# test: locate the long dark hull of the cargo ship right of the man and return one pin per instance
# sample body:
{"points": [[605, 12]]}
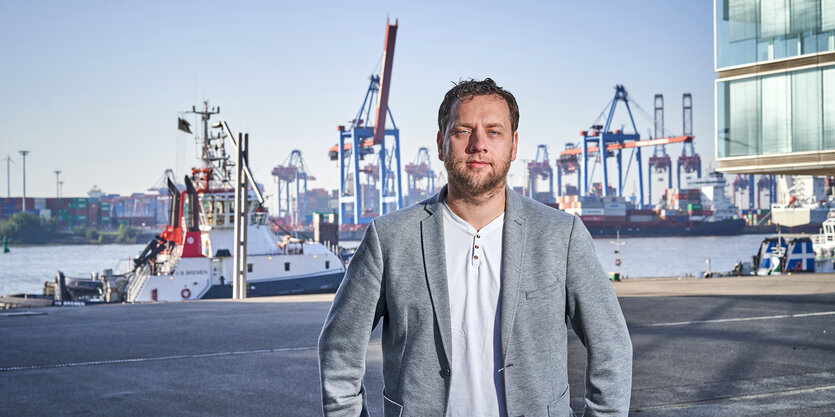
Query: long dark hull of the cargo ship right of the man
{"points": [[730, 227]]}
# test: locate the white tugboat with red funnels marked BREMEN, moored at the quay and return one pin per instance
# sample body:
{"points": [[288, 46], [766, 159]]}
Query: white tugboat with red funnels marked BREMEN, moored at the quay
{"points": [[192, 258]]}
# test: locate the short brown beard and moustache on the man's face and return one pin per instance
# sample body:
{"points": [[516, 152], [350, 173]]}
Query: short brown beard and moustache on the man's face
{"points": [[471, 184]]}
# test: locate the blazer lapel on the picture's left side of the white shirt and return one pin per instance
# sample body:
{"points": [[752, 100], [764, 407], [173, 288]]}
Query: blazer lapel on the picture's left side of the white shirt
{"points": [[434, 261]]}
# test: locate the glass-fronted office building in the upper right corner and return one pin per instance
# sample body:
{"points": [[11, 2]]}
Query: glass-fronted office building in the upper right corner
{"points": [[775, 92]]}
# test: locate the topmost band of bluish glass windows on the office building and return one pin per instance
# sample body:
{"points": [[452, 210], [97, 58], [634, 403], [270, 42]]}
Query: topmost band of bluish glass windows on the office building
{"points": [[752, 31]]}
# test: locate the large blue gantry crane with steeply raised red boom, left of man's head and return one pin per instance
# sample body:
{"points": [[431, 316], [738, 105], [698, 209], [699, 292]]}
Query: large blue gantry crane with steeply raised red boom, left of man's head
{"points": [[359, 139]]}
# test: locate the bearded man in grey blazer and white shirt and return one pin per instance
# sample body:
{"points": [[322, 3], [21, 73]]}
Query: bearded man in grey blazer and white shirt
{"points": [[475, 286]]}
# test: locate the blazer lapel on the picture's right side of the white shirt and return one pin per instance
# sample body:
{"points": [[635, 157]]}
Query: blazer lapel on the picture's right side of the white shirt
{"points": [[513, 246]]}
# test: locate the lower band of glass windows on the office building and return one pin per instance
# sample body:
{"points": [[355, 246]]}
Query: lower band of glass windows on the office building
{"points": [[792, 111]]}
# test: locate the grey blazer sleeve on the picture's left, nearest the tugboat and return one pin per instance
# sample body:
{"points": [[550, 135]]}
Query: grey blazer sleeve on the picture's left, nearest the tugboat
{"points": [[357, 307]]}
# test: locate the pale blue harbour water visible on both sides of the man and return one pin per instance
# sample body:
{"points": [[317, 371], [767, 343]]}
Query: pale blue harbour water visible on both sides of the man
{"points": [[25, 269]]}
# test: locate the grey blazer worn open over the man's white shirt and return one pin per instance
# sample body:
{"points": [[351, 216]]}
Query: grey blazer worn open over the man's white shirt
{"points": [[550, 274]]}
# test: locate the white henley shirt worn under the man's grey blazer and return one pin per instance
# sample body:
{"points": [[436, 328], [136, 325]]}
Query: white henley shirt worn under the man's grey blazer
{"points": [[473, 264]]}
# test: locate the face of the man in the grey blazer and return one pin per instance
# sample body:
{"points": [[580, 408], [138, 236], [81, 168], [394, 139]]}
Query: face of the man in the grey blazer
{"points": [[478, 144]]}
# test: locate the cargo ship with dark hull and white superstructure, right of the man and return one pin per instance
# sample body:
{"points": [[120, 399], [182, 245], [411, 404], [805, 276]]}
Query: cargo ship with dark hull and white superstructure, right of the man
{"points": [[702, 209]]}
